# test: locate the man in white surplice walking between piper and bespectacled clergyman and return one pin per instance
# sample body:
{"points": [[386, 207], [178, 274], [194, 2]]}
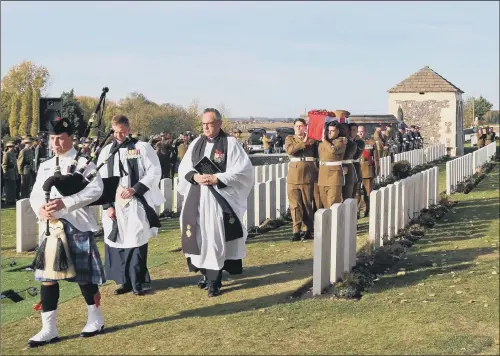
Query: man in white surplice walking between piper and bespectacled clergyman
{"points": [[131, 221]]}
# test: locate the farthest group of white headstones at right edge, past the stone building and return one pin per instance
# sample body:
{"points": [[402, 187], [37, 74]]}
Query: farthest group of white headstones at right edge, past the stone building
{"points": [[461, 168]]}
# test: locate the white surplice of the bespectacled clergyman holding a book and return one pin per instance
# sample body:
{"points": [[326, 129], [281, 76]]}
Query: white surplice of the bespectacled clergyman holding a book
{"points": [[239, 179]]}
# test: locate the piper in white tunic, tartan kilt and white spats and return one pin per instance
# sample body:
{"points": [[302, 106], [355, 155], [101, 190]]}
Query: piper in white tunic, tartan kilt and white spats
{"points": [[68, 249]]}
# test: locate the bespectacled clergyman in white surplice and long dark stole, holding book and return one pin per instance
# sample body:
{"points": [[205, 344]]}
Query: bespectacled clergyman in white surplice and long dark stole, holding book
{"points": [[215, 178]]}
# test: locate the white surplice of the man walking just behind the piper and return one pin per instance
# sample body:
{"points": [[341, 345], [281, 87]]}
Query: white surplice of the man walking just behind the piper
{"points": [[133, 226]]}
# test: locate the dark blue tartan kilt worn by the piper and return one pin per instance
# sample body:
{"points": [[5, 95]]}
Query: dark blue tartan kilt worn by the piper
{"points": [[84, 254]]}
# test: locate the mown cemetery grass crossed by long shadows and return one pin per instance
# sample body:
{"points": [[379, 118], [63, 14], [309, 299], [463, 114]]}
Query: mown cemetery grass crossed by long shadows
{"points": [[445, 302]]}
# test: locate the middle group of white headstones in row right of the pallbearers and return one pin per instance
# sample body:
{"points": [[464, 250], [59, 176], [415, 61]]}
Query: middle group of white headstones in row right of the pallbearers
{"points": [[393, 206]]}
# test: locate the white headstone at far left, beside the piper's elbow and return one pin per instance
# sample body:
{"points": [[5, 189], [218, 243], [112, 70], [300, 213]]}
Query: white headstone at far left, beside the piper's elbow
{"points": [[26, 226]]}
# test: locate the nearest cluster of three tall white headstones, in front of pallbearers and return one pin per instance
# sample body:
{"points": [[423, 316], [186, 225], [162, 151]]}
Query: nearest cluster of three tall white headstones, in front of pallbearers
{"points": [[335, 232]]}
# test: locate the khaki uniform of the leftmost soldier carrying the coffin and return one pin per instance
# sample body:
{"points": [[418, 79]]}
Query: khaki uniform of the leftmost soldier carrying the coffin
{"points": [[300, 182]]}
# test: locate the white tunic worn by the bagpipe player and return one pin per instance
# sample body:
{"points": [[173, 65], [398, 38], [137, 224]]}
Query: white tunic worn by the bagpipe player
{"points": [[76, 210]]}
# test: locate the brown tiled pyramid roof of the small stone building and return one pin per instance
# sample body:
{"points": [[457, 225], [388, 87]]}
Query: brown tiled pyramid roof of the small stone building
{"points": [[425, 80]]}
